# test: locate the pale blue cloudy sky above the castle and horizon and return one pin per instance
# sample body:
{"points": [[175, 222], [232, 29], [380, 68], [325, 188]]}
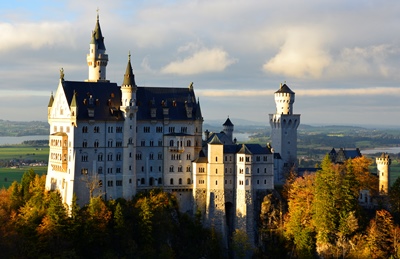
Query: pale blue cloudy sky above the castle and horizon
{"points": [[342, 58]]}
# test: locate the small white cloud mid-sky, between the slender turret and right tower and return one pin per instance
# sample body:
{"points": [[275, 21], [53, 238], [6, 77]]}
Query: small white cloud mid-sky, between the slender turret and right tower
{"points": [[202, 61]]}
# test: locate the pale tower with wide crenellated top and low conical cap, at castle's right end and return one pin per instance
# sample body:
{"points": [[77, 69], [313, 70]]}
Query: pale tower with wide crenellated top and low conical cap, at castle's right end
{"points": [[284, 126]]}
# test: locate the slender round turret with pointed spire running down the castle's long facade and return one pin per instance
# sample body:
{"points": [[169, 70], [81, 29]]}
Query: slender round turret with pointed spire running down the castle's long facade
{"points": [[129, 109]]}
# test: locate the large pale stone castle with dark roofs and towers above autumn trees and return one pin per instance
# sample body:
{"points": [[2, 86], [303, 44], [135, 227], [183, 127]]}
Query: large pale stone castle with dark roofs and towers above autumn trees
{"points": [[116, 141]]}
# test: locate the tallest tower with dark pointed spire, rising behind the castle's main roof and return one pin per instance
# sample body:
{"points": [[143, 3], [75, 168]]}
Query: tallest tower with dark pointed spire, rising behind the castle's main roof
{"points": [[97, 58]]}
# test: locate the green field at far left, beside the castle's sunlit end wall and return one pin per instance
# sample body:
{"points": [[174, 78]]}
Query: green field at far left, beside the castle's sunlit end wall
{"points": [[11, 153]]}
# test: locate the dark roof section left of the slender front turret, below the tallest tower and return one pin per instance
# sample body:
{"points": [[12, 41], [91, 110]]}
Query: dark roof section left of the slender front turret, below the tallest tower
{"points": [[103, 97]]}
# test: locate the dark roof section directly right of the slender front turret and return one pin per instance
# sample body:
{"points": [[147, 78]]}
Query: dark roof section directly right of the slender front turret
{"points": [[173, 98]]}
